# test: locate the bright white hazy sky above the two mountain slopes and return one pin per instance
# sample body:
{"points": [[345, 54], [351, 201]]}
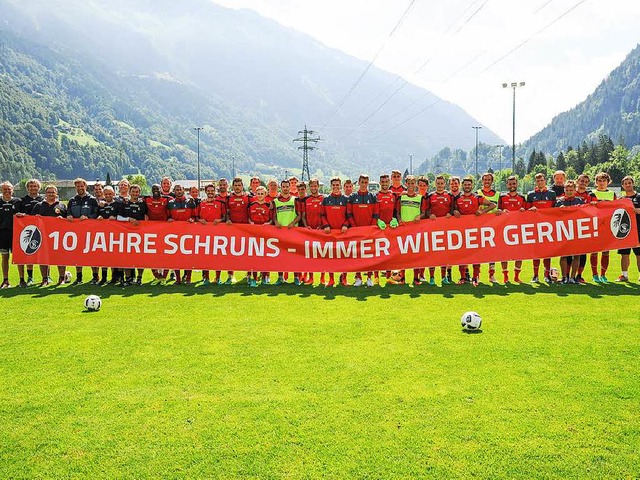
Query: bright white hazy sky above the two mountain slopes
{"points": [[460, 45]]}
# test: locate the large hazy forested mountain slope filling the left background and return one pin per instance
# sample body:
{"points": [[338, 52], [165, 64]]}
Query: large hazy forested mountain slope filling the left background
{"points": [[118, 85]]}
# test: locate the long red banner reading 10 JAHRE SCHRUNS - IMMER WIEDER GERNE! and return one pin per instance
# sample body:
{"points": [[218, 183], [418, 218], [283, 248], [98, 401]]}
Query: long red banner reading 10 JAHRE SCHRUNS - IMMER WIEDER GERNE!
{"points": [[445, 241]]}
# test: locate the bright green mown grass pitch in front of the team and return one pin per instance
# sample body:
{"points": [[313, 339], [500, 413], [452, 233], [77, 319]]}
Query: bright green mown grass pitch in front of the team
{"points": [[301, 382]]}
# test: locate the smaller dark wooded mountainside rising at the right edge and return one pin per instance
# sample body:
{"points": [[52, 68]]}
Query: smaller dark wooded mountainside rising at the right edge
{"points": [[613, 109]]}
